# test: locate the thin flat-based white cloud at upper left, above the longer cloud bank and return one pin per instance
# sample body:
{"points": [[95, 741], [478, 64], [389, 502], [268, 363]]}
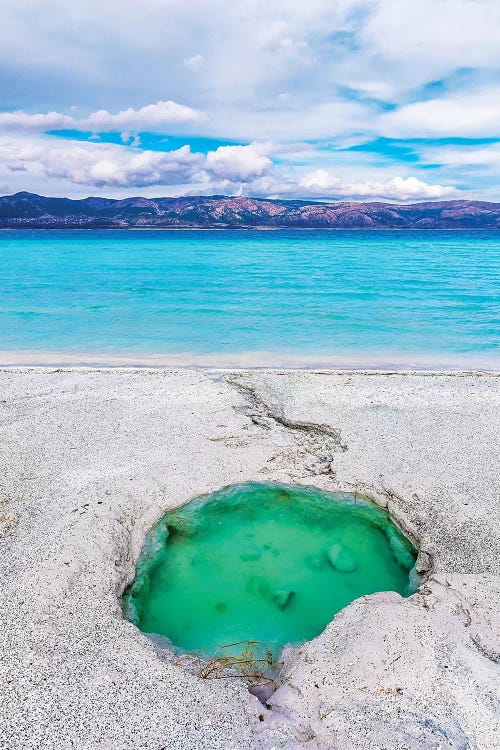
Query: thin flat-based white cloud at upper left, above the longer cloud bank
{"points": [[153, 117]]}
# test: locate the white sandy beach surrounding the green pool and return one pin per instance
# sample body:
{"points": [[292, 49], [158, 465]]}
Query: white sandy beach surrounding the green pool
{"points": [[90, 459]]}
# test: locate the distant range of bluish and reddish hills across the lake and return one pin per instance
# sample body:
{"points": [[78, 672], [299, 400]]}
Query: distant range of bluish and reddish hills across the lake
{"points": [[27, 210]]}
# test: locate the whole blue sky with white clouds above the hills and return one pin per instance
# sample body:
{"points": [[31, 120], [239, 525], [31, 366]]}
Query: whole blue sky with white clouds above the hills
{"points": [[394, 100]]}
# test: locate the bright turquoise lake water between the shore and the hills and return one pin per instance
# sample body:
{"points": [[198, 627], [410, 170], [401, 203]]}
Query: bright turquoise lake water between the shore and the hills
{"points": [[432, 295]]}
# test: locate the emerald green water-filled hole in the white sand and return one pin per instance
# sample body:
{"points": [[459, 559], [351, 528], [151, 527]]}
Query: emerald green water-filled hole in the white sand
{"points": [[263, 562]]}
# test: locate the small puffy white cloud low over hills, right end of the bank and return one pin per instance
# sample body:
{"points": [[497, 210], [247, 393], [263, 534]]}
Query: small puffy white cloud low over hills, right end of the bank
{"points": [[322, 184]]}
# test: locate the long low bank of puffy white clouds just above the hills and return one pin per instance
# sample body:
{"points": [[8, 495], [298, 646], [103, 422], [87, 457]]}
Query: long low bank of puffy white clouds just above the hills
{"points": [[233, 170]]}
